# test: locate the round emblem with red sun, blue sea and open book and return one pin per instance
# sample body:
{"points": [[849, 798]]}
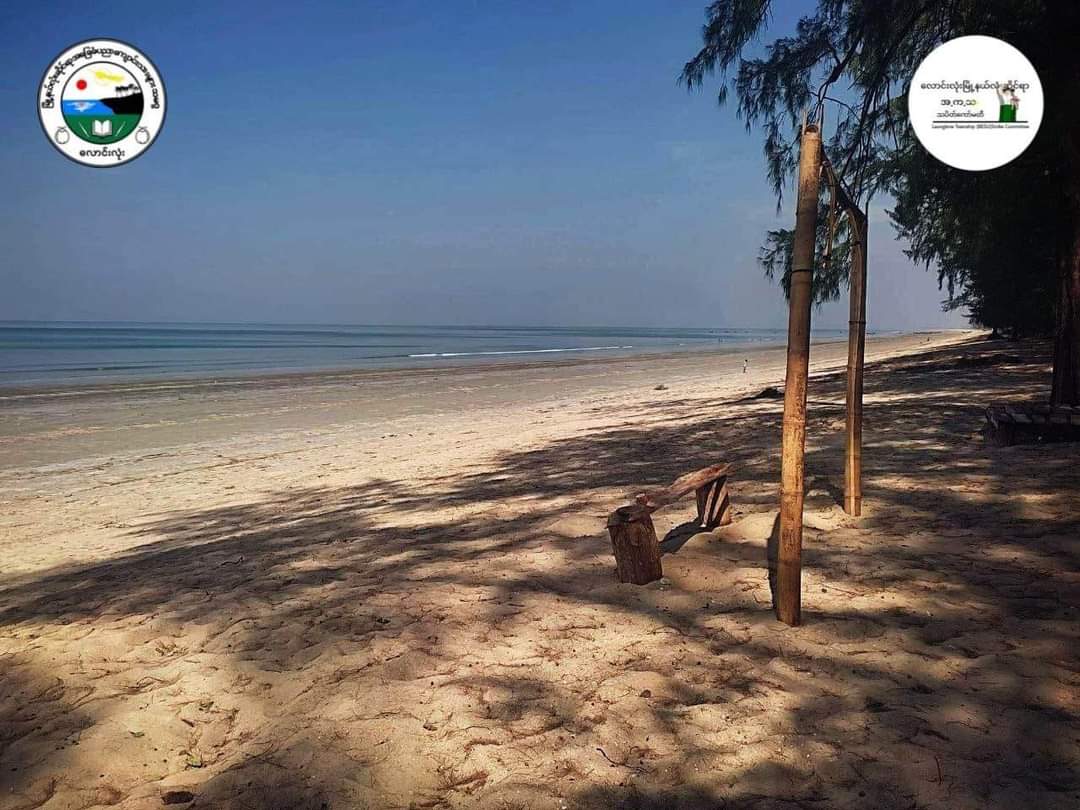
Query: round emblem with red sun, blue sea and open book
{"points": [[102, 103]]}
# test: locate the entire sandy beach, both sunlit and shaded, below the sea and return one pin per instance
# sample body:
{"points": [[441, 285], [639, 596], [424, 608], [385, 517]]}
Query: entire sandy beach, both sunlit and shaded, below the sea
{"points": [[396, 590]]}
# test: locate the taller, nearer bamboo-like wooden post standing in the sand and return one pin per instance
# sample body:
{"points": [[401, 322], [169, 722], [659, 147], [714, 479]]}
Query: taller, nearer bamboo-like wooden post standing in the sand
{"points": [[790, 569]]}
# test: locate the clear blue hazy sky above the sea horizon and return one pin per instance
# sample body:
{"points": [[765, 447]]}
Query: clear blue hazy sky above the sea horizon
{"points": [[407, 163]]}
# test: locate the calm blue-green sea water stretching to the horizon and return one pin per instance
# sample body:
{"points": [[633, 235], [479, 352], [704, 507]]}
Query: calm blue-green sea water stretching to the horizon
{"points": [[34, 354]]}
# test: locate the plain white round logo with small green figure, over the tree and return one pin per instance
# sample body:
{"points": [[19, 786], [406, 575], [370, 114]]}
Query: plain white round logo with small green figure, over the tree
{"points": [[976, 103]]}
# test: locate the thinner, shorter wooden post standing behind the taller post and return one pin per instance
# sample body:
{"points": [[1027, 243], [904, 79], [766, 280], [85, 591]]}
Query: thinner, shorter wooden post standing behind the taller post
{"points": [[857, 350]]}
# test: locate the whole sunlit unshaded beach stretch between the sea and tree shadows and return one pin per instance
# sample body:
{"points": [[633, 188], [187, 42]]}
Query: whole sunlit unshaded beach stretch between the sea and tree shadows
{"points": [[159, 449]]}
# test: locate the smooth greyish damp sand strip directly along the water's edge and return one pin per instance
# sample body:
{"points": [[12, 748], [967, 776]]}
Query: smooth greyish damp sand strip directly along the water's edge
{"points": [[113, 426]]}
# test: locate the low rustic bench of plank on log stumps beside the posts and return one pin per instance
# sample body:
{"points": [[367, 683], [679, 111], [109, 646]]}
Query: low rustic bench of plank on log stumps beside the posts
{"points": [[633, 536]]}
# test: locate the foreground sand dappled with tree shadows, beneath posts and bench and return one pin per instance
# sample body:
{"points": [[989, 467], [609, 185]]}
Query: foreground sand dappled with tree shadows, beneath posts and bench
{"points": [[461, 642]]}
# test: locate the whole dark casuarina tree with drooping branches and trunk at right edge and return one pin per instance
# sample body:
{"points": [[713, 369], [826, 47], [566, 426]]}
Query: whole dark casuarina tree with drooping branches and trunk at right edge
{"points": [[1011, 235]]}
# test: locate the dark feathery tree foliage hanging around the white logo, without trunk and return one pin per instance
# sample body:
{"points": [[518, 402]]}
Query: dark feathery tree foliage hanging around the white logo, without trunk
{"points": [[855, 59]]}
